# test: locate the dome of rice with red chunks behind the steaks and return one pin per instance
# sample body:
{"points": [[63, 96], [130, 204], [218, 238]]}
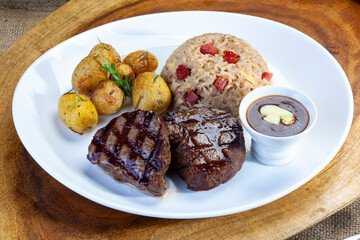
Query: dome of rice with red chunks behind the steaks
{"points": [[214, 70]]}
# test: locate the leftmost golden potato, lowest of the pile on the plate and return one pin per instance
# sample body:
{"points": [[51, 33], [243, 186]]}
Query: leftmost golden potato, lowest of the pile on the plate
{"points": [[77, 112]]}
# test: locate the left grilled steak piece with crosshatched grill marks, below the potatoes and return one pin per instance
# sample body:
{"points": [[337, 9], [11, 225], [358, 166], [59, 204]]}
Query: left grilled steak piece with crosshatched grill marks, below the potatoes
{"points": [[134, 148]]}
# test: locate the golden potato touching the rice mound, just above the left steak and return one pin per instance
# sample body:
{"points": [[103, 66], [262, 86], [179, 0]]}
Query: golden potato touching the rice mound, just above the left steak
{"points": [[155, 96]]}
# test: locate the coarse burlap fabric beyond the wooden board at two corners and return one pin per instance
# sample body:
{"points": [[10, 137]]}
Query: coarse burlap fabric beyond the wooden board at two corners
{"points": [[18, 16]]}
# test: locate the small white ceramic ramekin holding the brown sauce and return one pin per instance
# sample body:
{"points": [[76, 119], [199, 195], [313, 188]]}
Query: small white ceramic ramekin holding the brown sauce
{"points": [[275, 150]]}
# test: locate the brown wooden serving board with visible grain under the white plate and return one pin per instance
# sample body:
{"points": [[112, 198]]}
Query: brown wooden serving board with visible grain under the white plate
{"points": [[33, 205]]}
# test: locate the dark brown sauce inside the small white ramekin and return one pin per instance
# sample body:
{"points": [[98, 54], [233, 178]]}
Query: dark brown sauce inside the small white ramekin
{"points": [[255, 118]]}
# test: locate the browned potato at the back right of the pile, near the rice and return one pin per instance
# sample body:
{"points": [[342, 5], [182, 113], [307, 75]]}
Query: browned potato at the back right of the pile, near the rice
{"points": [[141, 61]]}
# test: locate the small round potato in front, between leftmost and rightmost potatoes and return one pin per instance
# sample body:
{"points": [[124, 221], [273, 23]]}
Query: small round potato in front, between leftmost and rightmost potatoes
{"points": [[108, 98]]}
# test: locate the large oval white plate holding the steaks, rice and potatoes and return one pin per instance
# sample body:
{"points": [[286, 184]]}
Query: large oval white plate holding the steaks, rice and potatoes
{"points": [[296, 60]]}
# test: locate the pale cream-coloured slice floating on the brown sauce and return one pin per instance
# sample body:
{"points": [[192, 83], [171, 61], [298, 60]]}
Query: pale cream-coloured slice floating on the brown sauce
{"points": [[274, 114]]}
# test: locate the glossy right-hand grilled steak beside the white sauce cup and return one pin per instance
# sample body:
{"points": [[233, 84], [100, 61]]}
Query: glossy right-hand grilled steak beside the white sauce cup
{"points": [[207, 146]]}
